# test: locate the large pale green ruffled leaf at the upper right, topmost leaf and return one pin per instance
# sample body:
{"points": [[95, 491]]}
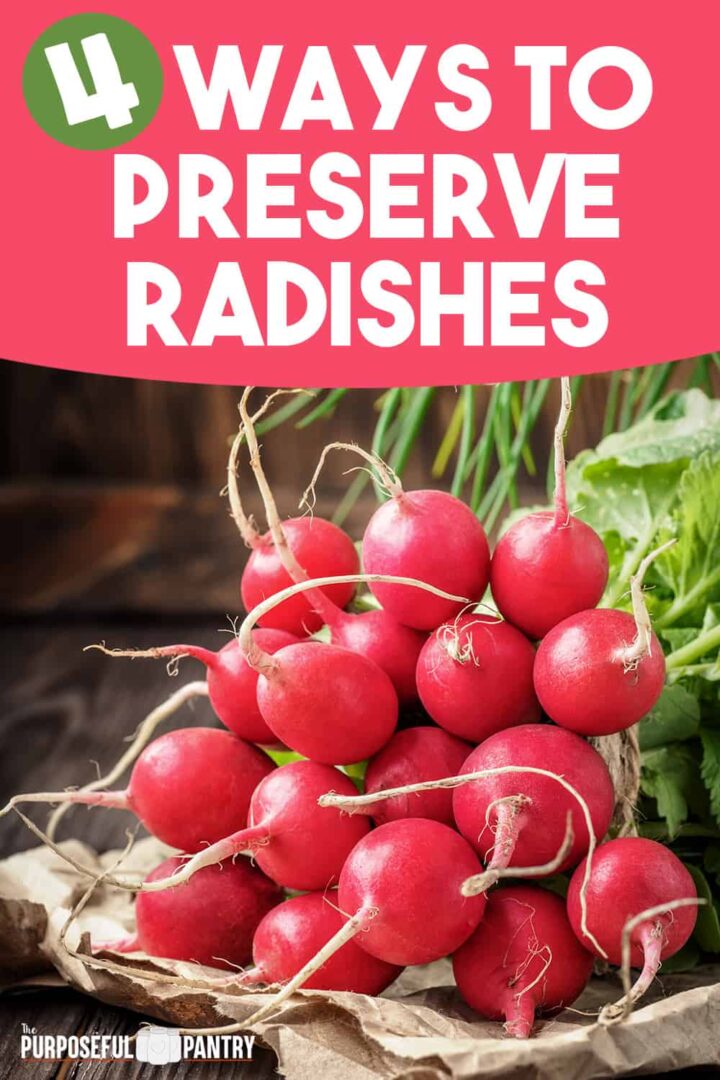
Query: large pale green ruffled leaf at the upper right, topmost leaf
{"points": [[651, 482]]}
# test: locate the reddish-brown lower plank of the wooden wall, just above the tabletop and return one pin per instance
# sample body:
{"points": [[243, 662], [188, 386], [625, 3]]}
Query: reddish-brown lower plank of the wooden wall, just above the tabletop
{"points": [[131, 549]]}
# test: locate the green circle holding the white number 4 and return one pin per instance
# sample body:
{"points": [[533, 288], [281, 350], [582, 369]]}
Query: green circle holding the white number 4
{"points": [[137, 62]]}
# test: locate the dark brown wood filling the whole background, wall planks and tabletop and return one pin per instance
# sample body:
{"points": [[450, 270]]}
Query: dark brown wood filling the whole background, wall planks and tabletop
{"points": [[112, 528]]}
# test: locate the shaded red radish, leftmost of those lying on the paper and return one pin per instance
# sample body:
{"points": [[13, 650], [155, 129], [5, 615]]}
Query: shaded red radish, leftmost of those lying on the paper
{"points": [[212, 921]]}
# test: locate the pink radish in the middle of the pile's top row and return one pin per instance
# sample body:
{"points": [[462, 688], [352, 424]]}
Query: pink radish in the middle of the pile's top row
{"points": [[433, 537]]}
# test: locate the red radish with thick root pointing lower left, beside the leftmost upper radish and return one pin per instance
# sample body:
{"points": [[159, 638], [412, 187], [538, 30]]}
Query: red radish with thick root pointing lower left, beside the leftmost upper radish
{"points": [[295, 842]]}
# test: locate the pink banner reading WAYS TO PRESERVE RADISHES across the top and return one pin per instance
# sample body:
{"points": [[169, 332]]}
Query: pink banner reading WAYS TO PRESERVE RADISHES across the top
{"points": [[473, 193]]}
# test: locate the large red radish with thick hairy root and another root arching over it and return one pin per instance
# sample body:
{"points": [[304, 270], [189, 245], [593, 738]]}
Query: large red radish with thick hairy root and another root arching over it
{"points": [[521, 820]]}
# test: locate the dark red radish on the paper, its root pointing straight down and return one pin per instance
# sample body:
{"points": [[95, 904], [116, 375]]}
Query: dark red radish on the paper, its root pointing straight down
{"points": [[523, 960]]}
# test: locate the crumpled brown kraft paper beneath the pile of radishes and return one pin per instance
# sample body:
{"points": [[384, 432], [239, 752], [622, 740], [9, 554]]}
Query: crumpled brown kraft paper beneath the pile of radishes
{"points": [[419, 1030]]}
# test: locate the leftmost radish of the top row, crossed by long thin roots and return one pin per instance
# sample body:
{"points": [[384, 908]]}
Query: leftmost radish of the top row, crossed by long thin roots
{"points": [[322, 550]]}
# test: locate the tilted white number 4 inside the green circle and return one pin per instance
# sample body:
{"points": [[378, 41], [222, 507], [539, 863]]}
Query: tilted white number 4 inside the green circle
{"points": [[113, 99]]}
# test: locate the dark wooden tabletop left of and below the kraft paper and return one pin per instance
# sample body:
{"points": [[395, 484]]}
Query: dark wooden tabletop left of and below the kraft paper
{"points": [[60, 711]]}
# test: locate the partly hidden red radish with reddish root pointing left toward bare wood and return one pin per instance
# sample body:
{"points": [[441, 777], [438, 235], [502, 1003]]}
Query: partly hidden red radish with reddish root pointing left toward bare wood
{"points": [[232, 682]]}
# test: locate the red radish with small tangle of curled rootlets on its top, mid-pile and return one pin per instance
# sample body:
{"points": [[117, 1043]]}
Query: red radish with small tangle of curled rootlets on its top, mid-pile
{"points": [[476, 678]]}
